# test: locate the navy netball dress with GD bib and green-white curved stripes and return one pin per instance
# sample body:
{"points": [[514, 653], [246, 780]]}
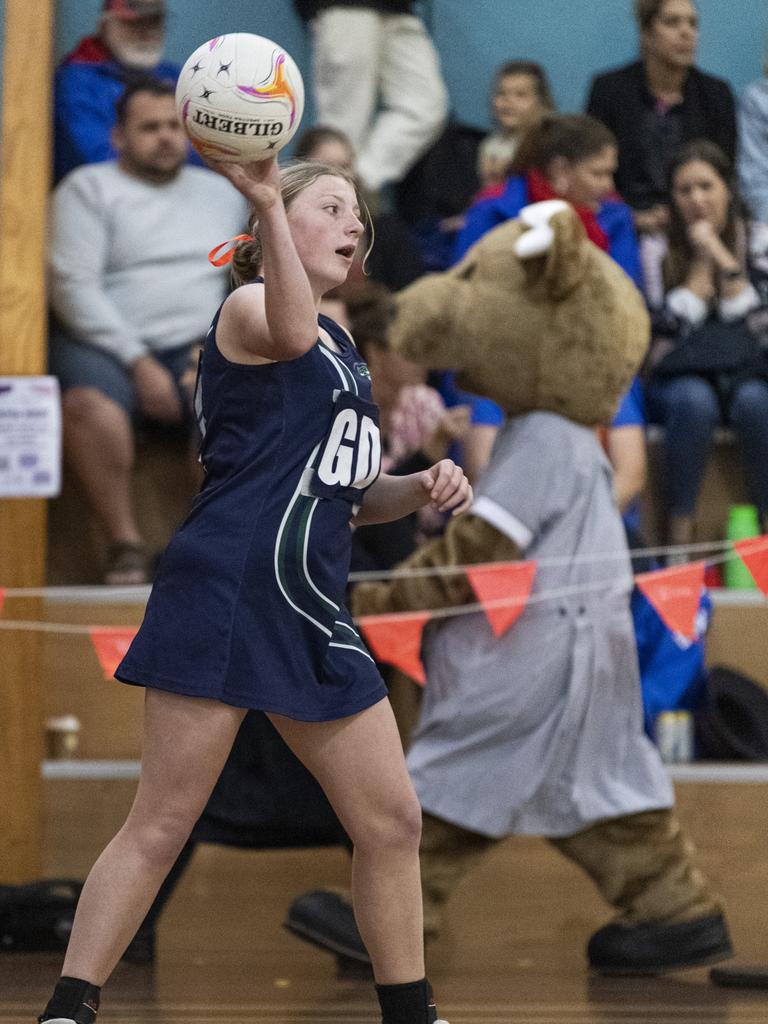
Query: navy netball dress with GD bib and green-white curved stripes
{"points": [[247, 607]]}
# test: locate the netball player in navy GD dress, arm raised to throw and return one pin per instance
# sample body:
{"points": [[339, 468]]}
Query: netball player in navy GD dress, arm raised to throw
{"points": [[247, 609]]}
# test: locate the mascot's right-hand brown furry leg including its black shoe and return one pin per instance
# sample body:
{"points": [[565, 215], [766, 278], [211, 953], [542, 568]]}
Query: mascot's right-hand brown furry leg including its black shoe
{"points": [[669, 919]]}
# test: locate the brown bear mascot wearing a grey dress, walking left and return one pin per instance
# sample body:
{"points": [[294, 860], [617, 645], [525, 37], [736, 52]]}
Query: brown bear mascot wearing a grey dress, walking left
{"points": [[540, 731]]}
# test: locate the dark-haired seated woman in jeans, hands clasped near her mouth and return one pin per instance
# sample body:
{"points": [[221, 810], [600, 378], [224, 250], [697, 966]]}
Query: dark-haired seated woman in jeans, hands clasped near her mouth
{"points": [[706, 364]]}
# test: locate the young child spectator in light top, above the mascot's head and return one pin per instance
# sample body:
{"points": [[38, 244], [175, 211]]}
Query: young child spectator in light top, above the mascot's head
{"points": [[520, 99]]}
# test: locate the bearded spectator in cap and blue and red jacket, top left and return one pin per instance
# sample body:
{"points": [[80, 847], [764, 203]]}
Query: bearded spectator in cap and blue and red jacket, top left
{"points": [[90, 80]]}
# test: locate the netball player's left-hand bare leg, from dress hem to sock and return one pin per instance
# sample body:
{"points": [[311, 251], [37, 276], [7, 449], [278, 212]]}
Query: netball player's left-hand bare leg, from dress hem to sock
{"points": [[186, 744]]}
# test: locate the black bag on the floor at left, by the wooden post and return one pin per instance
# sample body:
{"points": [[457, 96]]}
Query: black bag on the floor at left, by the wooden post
{"points": [[39, 916]]}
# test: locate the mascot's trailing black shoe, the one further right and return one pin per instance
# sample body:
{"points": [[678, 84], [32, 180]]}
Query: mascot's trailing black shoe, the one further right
{"points": [[657, 948]]}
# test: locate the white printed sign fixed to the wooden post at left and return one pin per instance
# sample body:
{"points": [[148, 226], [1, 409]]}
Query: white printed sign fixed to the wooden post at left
{"points": [[30, 438]]}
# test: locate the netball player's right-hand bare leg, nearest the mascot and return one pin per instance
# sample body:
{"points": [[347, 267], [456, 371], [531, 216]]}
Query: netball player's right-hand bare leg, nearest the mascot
{"points": [[359, 762]]}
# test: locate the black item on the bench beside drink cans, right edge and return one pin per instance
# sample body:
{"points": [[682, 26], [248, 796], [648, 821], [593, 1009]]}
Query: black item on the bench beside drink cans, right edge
{"points": [[733, 723]]}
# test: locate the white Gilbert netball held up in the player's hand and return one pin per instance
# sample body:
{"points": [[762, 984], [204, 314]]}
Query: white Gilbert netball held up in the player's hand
{"points": [[240, 98]]}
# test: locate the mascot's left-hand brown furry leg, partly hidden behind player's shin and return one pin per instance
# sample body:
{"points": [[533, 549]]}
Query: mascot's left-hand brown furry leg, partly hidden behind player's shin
{"points": [[448, 854]]}
